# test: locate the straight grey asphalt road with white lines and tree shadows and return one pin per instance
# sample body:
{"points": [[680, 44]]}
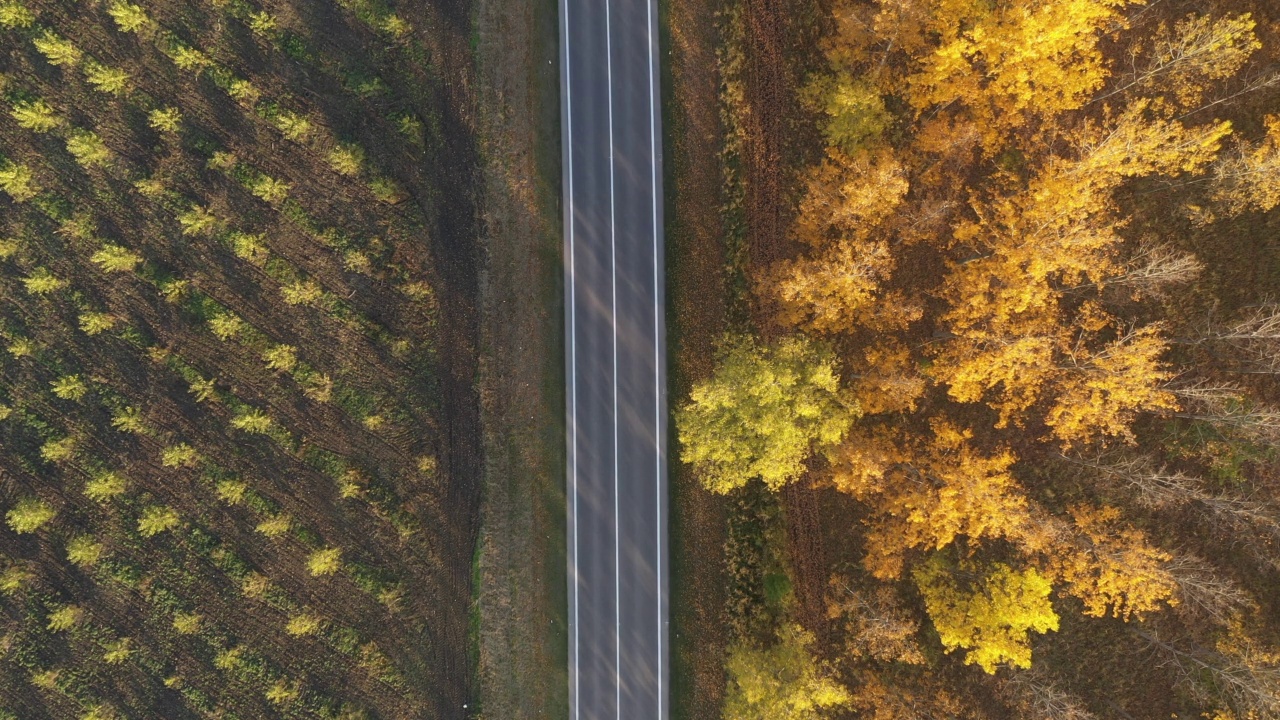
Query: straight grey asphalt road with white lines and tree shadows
{"points": [[615, 361]]}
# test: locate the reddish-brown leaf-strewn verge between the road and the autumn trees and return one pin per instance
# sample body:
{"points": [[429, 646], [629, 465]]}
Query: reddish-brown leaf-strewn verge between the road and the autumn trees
{"points": [[698, 308]]}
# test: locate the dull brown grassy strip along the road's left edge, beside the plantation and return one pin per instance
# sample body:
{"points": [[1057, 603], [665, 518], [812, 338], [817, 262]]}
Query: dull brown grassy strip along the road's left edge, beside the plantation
{"points": [[519, 626]]}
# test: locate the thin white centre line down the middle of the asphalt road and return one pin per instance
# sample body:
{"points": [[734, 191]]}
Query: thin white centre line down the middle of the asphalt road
{"points": [[614, 317]]}
